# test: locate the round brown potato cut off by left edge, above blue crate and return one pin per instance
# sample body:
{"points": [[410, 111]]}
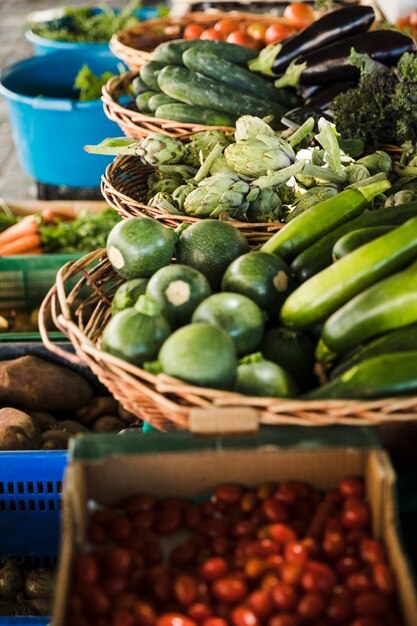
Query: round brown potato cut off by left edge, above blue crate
{"points": [[18, 431]]}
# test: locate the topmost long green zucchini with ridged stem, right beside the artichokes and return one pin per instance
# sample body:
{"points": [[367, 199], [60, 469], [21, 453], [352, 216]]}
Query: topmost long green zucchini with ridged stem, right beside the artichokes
{"points": [[322, 218]]}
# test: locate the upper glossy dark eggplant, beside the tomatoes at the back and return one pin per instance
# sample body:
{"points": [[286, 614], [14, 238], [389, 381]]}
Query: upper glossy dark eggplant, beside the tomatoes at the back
{"points": [[335, 26]]}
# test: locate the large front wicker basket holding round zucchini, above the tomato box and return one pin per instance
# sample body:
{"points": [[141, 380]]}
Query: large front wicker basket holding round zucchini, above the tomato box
{"points": [[165, 402]]}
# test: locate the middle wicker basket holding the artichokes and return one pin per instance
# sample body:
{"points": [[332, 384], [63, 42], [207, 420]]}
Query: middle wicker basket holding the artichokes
{"points": [[124, 187]]}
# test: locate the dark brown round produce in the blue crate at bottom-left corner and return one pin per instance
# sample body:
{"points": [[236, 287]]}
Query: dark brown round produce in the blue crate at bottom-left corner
{"points": [[25, 590]]}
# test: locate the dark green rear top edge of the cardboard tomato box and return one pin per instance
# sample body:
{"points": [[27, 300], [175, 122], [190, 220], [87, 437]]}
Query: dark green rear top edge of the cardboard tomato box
{"points": [[95, 447]]}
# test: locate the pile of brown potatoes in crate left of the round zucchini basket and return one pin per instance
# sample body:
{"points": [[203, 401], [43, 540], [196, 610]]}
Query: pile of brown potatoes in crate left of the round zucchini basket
{"points": [[45, 404]]}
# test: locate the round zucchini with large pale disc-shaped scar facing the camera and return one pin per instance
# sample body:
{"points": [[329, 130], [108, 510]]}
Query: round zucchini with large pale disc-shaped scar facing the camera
{"points": [[179, 289]]}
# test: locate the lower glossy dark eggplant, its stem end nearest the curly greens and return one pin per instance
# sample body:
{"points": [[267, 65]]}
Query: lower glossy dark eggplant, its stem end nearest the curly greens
{"points": [[330, 64]]}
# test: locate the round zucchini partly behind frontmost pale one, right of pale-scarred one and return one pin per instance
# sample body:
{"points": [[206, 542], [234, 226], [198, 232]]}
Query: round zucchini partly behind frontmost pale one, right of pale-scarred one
{"points": [[239, 316]]}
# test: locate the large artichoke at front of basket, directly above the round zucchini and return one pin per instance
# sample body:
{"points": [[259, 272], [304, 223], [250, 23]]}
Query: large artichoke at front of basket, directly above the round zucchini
{"points": [[220, 193]]}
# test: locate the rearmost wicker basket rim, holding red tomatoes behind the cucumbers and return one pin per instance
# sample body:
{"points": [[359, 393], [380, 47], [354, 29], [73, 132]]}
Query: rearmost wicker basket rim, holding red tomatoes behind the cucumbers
{"points": [[134, 46]]}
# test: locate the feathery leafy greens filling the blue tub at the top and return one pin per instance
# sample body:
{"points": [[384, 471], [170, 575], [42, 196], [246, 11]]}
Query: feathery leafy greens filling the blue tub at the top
{"points": [[82, 25]]}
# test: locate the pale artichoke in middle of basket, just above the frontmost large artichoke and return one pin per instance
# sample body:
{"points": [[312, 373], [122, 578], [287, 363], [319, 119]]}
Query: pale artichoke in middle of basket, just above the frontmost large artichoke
{"points": [[257, 157]]}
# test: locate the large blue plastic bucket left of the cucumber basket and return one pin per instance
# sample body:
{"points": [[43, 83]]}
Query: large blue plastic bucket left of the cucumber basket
{"points": [[50, 128]]}
